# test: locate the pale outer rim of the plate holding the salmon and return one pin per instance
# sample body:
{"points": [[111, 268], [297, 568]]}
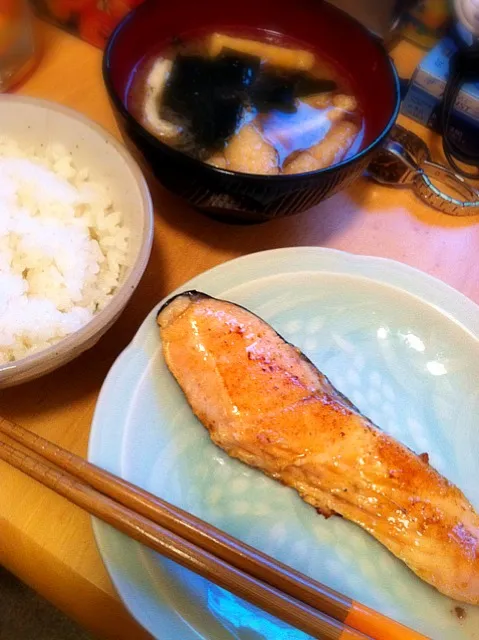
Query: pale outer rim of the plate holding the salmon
{"points": [[451, 303]]}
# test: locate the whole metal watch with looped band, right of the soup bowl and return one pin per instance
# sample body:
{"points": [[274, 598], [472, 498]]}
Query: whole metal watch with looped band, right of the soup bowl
{"points": [[405, 161]]}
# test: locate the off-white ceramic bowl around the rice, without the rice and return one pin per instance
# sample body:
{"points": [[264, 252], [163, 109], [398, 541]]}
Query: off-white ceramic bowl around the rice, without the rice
{"points": [[33, 122]]}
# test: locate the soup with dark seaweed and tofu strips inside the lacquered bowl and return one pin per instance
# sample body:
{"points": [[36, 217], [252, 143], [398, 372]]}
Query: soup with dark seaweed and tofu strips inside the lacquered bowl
{"points": [[248, 105]]}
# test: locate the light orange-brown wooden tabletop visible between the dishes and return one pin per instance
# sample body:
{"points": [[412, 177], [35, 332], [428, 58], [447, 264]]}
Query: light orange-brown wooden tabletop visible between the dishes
{"points": [[46, 541]]}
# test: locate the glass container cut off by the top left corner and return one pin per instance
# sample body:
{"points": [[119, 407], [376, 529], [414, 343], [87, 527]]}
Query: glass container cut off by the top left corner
{"points": [[17, 49]]}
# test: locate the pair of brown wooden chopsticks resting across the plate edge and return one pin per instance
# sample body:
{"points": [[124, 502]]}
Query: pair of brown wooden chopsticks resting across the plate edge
{"points": [[211, 553]]}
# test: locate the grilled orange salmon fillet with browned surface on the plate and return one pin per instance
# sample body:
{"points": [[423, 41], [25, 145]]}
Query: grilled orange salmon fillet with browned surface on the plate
{"points": [[266, 404]]}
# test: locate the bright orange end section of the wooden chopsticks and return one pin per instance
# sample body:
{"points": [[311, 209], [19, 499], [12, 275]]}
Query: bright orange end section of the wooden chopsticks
{"points": [[377, 626]]}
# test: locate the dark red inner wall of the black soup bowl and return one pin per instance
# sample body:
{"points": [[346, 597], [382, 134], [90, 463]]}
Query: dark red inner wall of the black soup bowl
{"points": [[317, 24]]}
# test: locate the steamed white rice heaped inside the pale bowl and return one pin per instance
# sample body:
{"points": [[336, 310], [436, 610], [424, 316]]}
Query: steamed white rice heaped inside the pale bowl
{"points": [[62, 247]]}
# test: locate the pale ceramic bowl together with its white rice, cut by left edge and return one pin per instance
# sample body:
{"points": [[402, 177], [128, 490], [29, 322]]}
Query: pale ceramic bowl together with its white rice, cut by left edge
{"points": [[76, 230]]}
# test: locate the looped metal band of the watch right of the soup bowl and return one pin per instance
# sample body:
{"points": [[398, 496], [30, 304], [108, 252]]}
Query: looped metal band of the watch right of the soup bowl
{"points": [[427, 191]]}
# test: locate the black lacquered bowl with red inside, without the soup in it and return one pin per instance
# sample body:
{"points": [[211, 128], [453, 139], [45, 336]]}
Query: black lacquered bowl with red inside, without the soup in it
{"points": [[240, 197]]}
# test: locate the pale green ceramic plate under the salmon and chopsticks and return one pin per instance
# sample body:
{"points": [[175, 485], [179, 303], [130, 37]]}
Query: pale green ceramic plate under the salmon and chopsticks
{"points": [[400, 344]]}
